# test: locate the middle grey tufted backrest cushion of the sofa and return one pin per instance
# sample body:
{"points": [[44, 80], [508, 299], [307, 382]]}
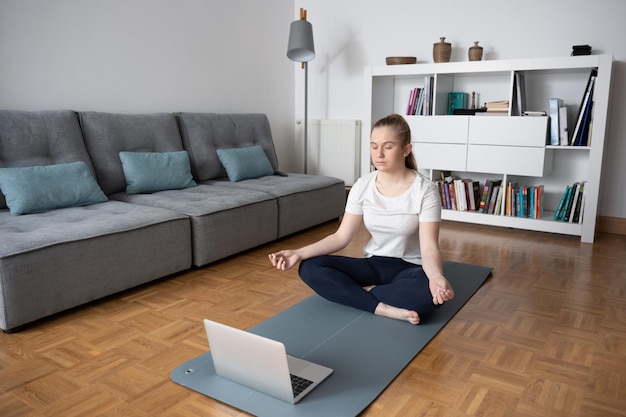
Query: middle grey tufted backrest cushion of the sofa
{"points": [[108, 134]]}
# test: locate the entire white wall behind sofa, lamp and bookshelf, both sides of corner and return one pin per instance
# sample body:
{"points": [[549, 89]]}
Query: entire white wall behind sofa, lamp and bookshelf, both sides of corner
{"points": [[211, 55]]}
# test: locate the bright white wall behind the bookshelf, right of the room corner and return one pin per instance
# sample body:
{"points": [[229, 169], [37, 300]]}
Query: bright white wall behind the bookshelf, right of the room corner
{"points": [[350, 34]]}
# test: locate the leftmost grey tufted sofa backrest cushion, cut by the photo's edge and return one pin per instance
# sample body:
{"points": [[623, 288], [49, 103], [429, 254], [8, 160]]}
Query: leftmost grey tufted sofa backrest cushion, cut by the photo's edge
{"points": [[29, 139]]}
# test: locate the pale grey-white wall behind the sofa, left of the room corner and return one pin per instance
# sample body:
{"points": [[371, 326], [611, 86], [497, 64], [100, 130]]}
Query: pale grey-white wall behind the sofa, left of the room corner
{"points": [[151, 55]]}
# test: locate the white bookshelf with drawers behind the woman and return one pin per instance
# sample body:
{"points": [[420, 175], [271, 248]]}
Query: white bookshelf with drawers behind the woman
{"points": [[501, 147]]}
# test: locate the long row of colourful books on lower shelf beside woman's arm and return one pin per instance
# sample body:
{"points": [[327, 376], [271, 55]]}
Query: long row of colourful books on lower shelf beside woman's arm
{"points": [[493, 197]]}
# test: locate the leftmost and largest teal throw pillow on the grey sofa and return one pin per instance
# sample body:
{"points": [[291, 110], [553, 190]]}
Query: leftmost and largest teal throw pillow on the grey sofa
{"points": [[42, 188]]}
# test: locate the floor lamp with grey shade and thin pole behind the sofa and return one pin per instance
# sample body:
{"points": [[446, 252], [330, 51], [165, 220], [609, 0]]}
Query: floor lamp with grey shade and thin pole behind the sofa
{"points": [[301, 49]]}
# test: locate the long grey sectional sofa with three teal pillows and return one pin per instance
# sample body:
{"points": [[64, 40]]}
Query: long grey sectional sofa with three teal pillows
{"points": [[148, 195]]}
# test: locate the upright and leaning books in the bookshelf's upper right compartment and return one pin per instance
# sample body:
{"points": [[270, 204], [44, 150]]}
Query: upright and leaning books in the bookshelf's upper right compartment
{"points": [[559, 130]]}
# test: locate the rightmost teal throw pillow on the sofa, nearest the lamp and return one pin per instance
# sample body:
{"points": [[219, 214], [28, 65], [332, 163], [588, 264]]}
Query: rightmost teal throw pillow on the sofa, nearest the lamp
{"points": [[245, 163]]}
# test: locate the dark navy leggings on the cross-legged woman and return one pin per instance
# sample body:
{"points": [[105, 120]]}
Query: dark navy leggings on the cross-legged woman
{"points": [[341, 279]]}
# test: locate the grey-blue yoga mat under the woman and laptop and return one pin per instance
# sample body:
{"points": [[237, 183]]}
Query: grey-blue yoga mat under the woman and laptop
{"points": [[366, 352]]}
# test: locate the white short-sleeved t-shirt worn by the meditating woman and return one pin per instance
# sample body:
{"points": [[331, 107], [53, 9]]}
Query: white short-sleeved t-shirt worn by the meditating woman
{"points": [[393, 222]]}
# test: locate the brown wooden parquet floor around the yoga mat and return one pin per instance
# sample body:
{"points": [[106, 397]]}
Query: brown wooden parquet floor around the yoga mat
{"points": [[544, 336]]}
